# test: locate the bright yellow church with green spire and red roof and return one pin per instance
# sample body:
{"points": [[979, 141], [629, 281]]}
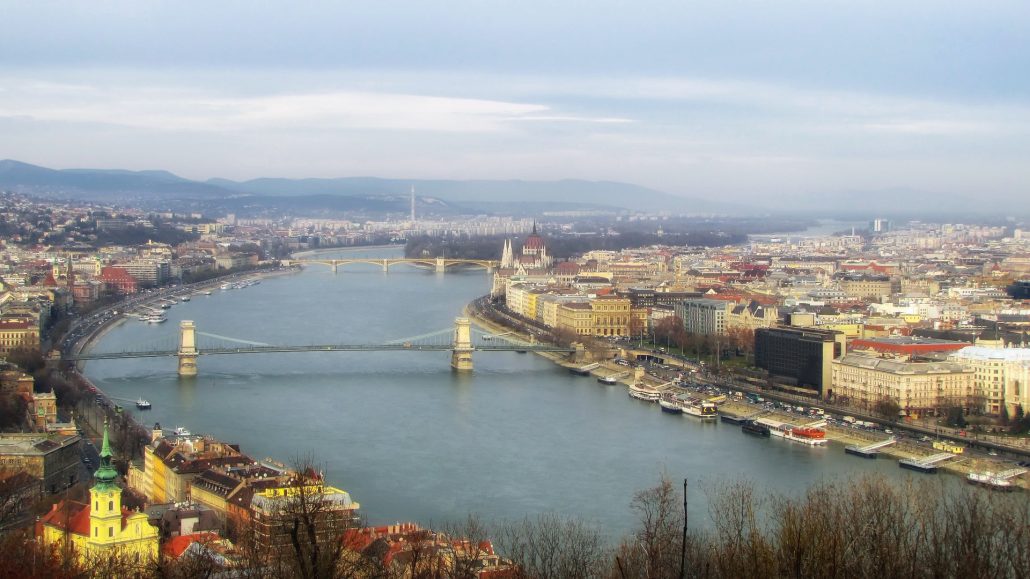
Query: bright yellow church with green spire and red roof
{"points": [[102, 529]]}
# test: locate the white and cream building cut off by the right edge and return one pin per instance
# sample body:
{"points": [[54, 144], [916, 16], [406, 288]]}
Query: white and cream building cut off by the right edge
{"points": [[1003, 378]]}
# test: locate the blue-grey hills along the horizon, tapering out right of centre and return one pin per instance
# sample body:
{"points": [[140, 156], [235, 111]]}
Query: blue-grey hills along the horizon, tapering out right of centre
{"points": [[381, 194]]}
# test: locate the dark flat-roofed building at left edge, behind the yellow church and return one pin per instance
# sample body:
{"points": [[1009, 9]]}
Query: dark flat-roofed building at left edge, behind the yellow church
{"points": [[53, 459]]}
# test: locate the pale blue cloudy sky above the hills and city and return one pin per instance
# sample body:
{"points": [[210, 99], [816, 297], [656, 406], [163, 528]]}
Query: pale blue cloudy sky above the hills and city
{"points": [[746, 100]]}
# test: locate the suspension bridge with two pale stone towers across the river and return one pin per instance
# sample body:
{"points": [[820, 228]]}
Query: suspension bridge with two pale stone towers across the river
{"points": [[462, 342]]}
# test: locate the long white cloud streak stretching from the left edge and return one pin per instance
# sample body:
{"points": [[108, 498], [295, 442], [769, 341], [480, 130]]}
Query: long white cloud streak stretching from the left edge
{"points": [[194, 110]]}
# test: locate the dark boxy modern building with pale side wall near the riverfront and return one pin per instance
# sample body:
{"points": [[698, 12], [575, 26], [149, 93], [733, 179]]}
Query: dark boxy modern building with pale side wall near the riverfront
{"points": [[800, 357]]}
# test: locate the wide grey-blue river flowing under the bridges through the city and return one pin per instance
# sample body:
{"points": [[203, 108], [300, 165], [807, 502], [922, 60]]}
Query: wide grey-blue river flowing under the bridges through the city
{"points": [[409, 439]]}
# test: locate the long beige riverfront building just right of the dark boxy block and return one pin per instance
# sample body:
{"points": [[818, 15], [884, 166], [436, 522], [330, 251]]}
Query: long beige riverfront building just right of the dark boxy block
{"points": [[919, 388]]}
